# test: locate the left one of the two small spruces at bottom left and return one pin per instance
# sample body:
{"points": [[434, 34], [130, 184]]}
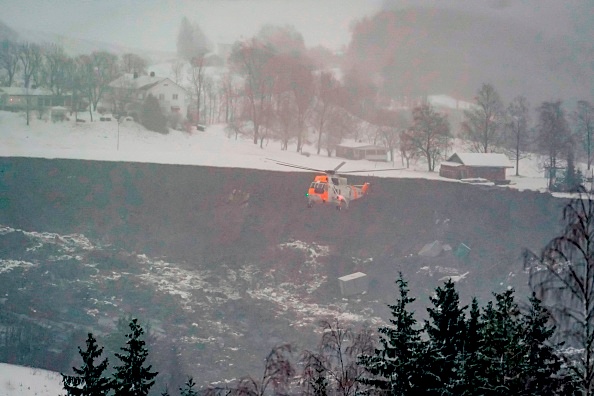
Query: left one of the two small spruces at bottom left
{"points": [[89, 380]]}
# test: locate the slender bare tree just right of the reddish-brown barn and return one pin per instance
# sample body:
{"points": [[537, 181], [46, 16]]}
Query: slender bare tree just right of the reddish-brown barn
{"points": [[518, 136]]}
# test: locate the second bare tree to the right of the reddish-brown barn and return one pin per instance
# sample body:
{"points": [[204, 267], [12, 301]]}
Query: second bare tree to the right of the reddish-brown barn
{"points": [[553, 135]]}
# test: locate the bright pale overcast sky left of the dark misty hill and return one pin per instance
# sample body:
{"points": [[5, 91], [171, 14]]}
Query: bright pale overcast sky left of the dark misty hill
{"points": [[153, 24]]}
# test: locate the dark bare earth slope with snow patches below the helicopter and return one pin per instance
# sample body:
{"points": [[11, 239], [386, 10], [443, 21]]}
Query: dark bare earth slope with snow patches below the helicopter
{"points": [[220, 279]]}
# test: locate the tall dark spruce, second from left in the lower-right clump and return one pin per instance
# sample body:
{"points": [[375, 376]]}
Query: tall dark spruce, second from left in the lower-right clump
{"points": [[446, 332]]}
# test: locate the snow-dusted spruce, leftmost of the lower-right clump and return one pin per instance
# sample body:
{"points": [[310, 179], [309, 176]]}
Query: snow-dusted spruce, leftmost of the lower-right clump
{"points": [[395, 368]]}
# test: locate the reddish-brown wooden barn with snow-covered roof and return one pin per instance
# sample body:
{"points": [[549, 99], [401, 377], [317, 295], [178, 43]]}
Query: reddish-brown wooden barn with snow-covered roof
{"points": [[489, 166]]}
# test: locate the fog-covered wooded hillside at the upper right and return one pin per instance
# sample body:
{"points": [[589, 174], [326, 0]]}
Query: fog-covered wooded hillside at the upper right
{"points": [[418, 51]]}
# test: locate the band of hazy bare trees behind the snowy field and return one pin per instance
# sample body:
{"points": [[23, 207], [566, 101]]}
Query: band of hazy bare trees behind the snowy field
{"points": [[274, 88]]}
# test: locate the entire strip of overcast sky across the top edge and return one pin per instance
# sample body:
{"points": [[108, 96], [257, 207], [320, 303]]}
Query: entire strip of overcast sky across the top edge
{"points": [[153, 24]]}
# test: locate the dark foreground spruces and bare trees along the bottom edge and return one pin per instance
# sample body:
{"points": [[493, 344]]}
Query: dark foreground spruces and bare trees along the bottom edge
{"points": [[542, 346]]}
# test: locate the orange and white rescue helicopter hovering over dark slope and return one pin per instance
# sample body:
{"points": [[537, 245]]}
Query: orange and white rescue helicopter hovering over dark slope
{"points": [[330, 187]]}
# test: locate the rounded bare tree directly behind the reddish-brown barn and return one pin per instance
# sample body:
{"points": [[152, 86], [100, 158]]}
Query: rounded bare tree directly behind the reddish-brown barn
{"points": [[482, 124]]}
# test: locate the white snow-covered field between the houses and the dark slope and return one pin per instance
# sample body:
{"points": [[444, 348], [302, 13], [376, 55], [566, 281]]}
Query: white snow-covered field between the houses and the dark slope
{"points": [[128, 141]]}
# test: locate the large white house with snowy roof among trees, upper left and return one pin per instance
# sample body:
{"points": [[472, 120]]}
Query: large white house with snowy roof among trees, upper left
{"points": [[129, 91]]}
